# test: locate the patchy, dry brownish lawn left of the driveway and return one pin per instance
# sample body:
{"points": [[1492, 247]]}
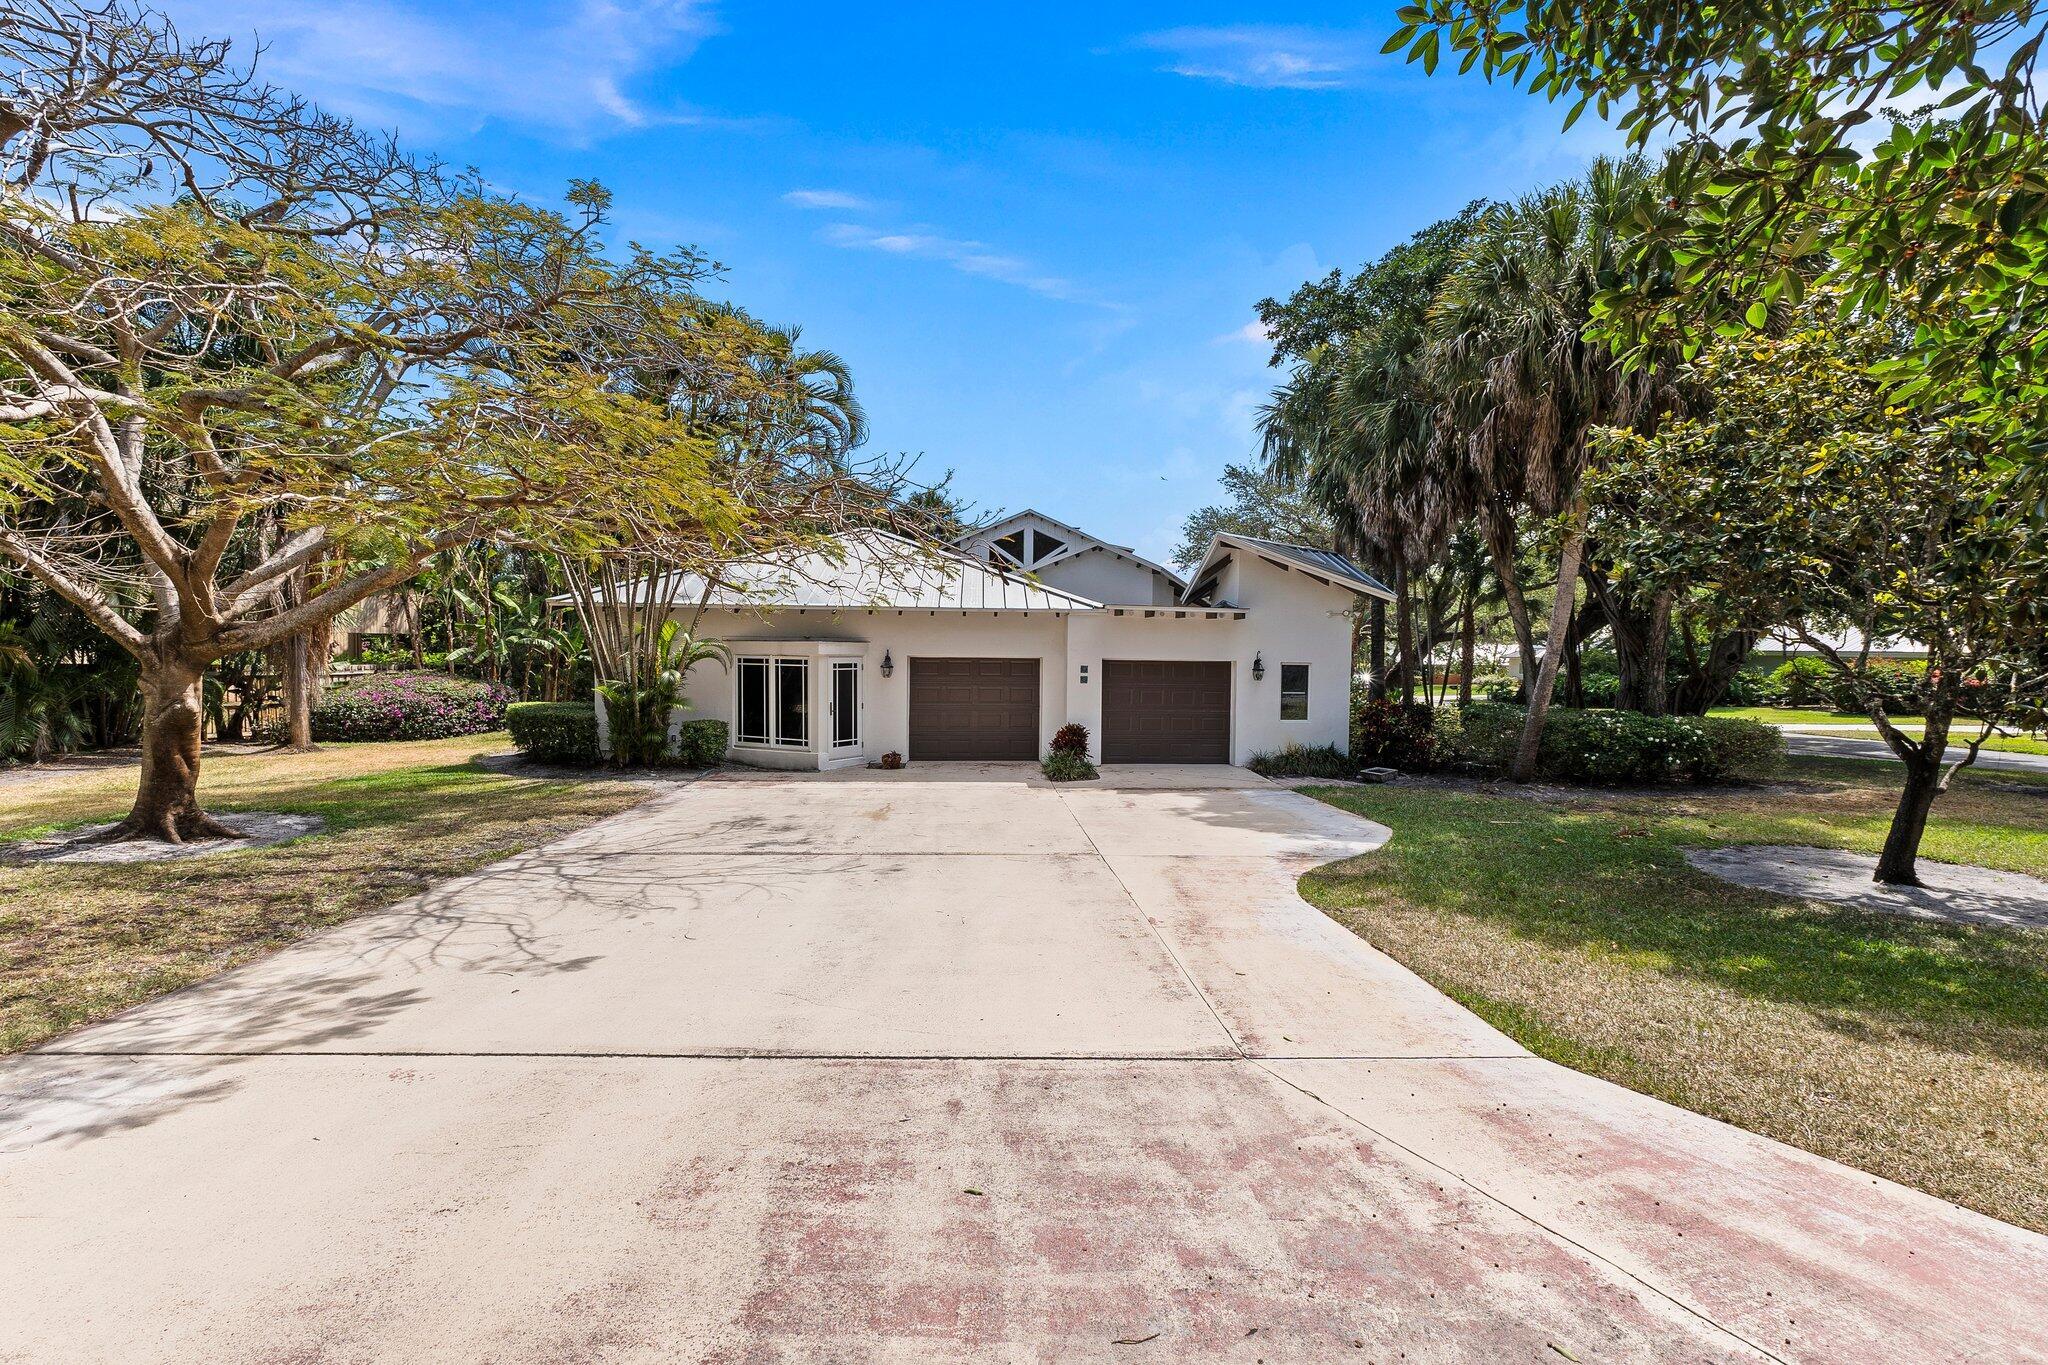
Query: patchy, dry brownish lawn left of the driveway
{"points": [[83, 942]]}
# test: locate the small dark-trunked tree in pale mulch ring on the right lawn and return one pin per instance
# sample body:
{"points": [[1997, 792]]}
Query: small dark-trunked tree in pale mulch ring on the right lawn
{"points": [[1818, 507]]}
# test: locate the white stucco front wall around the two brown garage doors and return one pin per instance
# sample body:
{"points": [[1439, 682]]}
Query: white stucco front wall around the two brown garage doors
{"points": [[1289, 619]]}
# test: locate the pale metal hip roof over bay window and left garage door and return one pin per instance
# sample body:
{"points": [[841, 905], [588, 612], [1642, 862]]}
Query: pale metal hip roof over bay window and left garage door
{"points": [[873, 570]]}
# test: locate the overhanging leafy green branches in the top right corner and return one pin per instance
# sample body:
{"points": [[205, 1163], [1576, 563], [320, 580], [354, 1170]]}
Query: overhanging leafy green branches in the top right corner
{"points": [[1785, 177]]}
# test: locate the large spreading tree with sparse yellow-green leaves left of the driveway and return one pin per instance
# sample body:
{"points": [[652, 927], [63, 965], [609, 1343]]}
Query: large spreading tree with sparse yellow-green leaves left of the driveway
{"points": [[257, 341]]}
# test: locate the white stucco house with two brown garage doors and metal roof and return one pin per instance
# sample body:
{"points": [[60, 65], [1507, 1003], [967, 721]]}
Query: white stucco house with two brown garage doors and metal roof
{"points": [[1029, 625]]}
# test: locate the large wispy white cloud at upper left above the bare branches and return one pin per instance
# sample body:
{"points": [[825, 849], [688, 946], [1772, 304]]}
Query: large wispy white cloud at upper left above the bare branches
{"points": [[570, 69]]}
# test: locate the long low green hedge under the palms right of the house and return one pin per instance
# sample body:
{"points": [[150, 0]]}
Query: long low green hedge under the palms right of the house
{"points": [[1621, 748]]}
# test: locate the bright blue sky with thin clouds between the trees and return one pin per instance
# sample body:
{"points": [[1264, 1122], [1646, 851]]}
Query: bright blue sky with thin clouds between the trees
{"points": [[1037, 236]]}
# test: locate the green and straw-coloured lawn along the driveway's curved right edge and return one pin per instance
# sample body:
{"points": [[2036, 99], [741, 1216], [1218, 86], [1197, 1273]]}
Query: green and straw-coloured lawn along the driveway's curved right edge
{"points": [[1908, 1049]]}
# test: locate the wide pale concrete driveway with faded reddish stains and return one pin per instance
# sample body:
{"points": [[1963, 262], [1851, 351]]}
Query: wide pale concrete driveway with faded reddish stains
{"points": [[921, 1067]]}
